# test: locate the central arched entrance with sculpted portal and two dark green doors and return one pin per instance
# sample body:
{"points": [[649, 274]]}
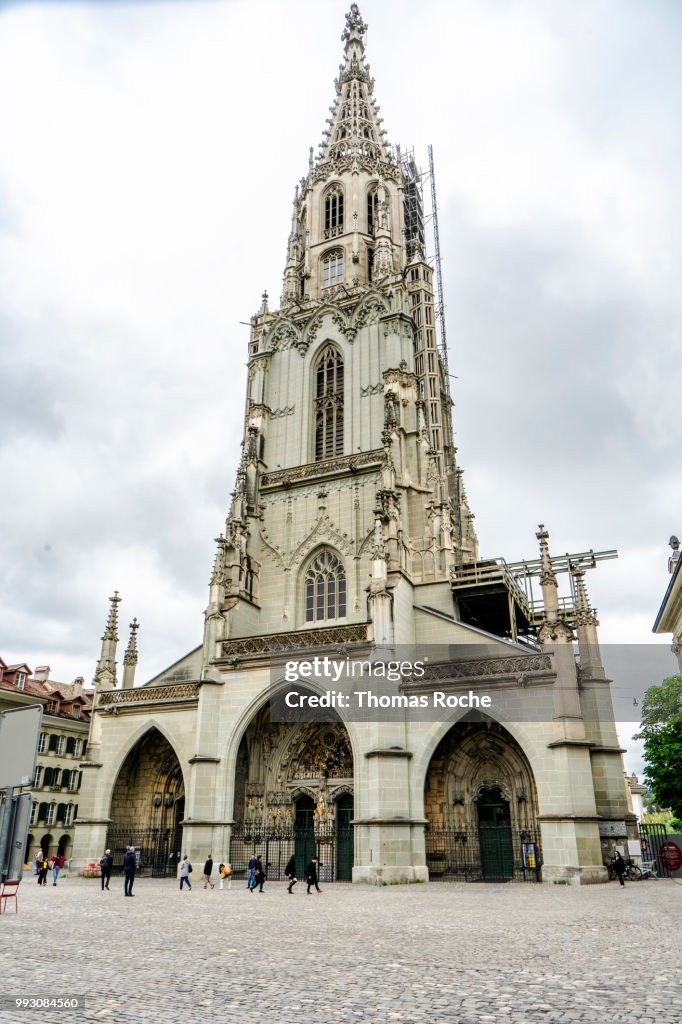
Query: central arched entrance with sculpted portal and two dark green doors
{"points": [[293, 796]]}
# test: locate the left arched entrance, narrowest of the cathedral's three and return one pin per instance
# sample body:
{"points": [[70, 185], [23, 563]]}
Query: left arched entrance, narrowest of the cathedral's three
{"points": [[148, 807]]}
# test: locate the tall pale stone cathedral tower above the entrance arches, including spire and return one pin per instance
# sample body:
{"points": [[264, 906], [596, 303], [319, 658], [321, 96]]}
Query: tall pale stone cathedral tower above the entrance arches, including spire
{"points": [[348, 495]]}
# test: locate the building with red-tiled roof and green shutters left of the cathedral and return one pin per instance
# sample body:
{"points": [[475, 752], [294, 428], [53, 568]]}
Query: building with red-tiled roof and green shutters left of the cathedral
{"points": [[62, 746]]}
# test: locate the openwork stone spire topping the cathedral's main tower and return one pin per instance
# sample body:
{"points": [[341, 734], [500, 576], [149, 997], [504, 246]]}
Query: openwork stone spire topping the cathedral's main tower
{"points": [[355, 129]]}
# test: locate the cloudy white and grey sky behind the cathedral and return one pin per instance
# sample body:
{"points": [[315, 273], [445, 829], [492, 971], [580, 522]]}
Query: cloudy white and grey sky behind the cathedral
{"points": [[149, 153]]}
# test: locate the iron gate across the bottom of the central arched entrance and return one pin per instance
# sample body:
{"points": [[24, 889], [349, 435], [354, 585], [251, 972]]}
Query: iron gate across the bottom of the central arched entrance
{"points": [[333, 847]]}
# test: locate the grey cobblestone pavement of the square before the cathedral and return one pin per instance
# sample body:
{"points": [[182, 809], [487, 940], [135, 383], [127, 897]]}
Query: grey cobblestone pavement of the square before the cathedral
{"points": [[356, 955]]}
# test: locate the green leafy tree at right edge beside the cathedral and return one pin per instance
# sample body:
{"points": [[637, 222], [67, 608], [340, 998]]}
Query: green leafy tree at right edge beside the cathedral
{"points": [[662, 733]]}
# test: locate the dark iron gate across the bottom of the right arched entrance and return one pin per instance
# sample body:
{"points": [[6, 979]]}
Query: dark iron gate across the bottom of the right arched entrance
{"points": [[484, 855]]}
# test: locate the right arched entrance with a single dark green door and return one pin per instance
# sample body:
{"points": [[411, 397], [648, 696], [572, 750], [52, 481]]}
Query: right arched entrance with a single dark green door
{"points": [[481, 803]]}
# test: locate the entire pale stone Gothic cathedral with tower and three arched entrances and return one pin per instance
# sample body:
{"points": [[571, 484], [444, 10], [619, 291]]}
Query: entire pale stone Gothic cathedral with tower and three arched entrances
{"points": [[350, 536]]}
